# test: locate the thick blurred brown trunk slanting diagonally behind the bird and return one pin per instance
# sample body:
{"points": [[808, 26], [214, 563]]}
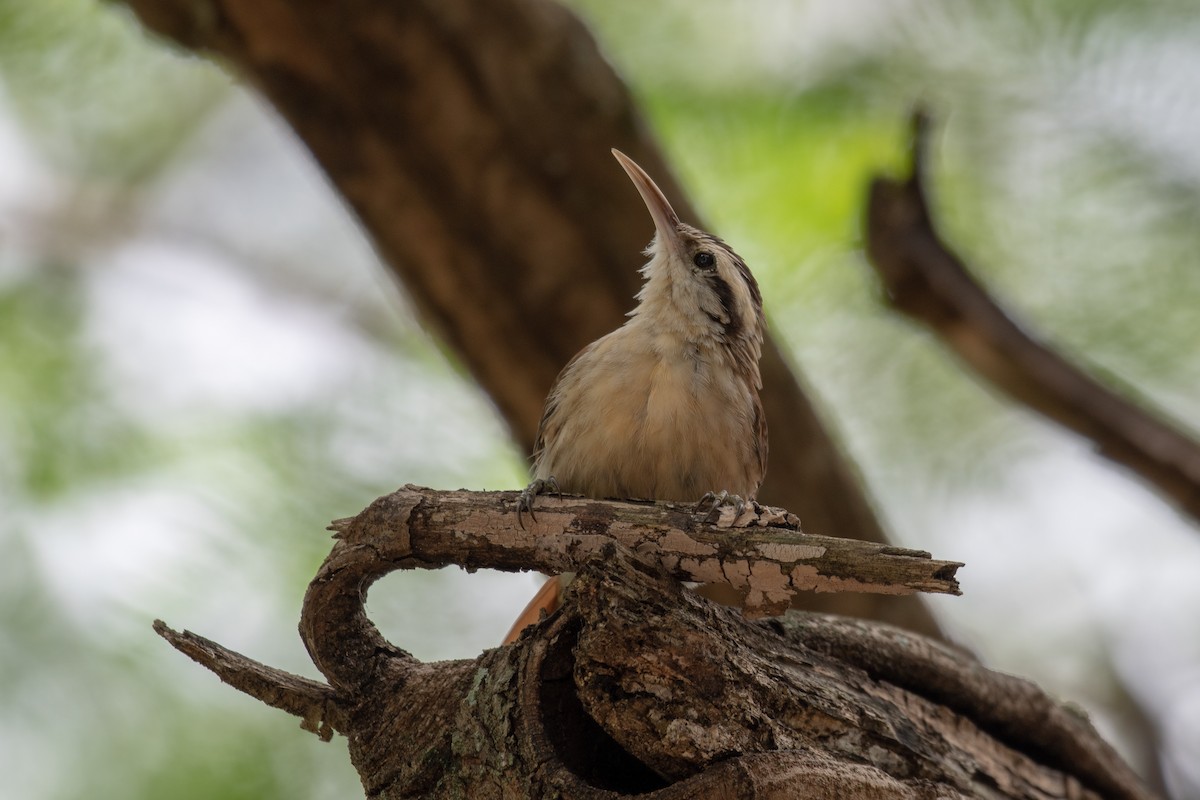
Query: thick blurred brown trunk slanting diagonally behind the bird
{"points": [[472, 140]]}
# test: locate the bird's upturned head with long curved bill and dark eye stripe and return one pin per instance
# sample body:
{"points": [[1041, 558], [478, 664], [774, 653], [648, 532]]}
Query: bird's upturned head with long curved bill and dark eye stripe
{"points": [[695, 282]]}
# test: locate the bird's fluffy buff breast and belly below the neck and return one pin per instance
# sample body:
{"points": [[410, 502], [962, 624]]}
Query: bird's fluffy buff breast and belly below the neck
{"points": [[632, 423]]}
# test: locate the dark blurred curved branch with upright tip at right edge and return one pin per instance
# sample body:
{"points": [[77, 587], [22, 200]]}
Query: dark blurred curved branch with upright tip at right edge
{"points": [[928, 282]]}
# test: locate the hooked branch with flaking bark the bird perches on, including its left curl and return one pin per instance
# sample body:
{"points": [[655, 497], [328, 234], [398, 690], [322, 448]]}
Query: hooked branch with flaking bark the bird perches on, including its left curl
{"points": [[763, 555]]}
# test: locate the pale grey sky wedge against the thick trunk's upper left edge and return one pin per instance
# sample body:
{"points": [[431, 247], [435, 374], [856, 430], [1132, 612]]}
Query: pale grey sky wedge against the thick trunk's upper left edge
{"points": [[284, 219]]}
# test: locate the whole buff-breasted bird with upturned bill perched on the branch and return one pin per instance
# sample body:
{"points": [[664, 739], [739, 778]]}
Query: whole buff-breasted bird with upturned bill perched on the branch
{"points": [[667, 407]]}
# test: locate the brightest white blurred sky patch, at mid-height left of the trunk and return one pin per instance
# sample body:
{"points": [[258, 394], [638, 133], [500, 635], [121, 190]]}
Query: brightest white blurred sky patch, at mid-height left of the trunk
{"points": [[183, 333]]}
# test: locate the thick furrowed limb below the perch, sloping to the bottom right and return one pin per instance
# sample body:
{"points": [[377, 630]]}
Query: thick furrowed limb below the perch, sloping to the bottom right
{"points": [[927, 683]]}
